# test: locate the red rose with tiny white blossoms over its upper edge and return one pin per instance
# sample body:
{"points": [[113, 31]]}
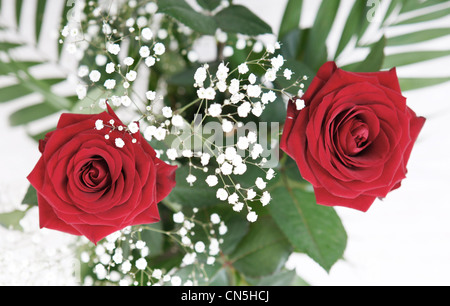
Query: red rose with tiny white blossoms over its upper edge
{"points": [[93, 185]]}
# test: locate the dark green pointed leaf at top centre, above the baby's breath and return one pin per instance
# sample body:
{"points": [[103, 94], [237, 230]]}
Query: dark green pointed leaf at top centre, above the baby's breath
{"points": [[239, 19]]}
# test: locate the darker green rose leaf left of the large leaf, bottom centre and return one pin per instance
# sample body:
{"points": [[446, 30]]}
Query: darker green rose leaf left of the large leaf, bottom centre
{"points": [[263, 251]]}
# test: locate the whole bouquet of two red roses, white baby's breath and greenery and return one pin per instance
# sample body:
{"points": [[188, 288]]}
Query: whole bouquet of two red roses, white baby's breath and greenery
{"points": [[191, 145]]}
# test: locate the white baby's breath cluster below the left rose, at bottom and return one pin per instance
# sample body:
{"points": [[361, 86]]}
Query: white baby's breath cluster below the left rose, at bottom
{"points": [[111, 264]]}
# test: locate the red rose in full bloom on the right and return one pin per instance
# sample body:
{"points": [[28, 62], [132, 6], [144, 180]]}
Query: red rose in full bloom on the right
{"points": [[353, 139]]}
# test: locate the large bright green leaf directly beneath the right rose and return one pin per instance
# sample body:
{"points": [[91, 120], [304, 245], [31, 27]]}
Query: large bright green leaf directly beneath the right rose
{"points": [[312, 229]]}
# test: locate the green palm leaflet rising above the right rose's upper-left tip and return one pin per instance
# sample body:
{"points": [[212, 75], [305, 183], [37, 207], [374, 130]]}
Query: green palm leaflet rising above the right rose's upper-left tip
{"points": [[316, 50]]}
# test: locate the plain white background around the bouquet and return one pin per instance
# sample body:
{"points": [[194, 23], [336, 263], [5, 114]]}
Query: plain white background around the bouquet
{"points": [[403, 240]]}
